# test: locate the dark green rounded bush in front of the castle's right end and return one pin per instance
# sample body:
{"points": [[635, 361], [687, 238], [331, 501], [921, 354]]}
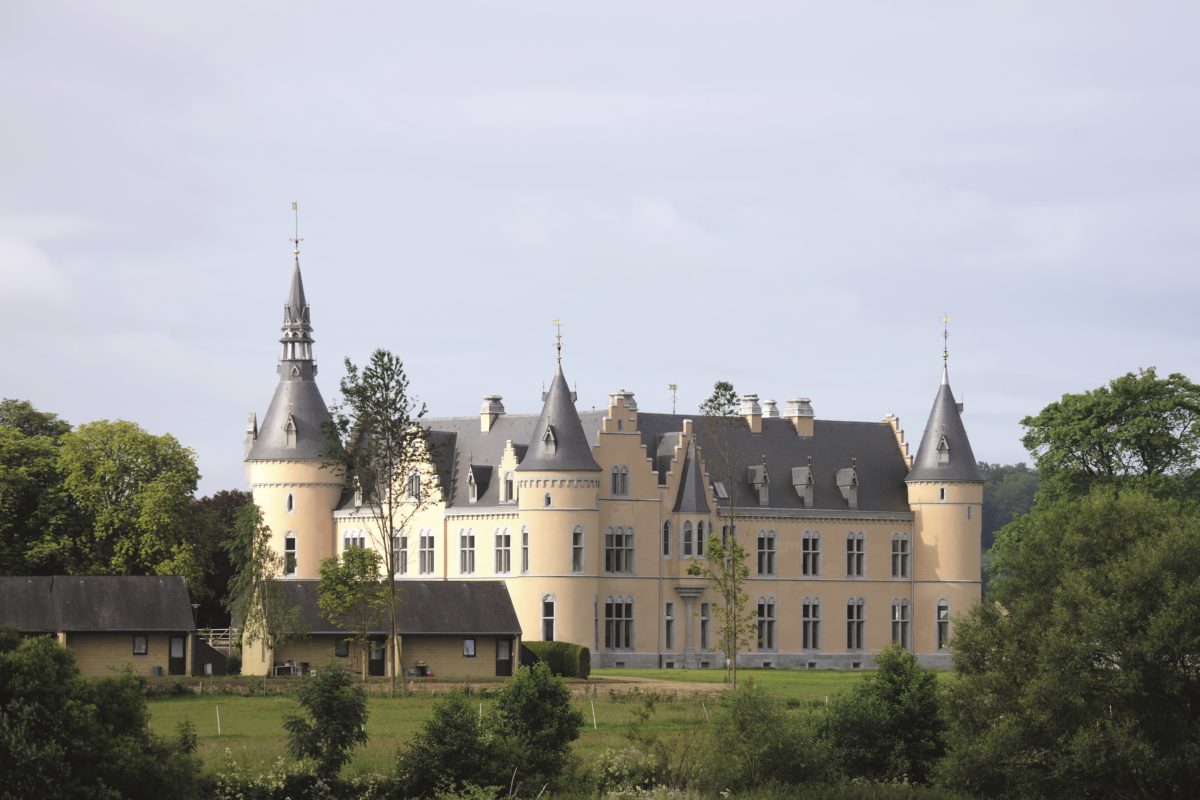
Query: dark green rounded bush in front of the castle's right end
{"points": [[890, 727]]}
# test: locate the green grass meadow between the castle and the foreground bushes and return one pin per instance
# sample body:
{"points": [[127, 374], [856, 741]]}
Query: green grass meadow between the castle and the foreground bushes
{"points": [[253, 727]]}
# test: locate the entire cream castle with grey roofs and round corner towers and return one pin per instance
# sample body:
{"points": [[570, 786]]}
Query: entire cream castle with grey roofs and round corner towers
{"points": [[592, 520]]}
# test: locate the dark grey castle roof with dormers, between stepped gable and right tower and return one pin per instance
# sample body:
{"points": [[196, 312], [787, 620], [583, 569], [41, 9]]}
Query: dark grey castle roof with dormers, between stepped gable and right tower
{"points": [[881, 468]]}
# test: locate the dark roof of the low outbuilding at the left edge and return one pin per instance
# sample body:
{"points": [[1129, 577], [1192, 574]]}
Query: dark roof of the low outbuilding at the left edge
{"points": [[97, 604]]}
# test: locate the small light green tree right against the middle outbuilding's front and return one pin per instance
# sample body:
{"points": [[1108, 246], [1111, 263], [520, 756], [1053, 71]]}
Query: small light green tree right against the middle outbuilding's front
{"points": [[350, 591]]}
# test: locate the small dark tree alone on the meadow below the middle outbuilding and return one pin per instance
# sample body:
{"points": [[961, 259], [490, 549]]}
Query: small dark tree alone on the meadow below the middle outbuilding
{"points": [[337, 715]]}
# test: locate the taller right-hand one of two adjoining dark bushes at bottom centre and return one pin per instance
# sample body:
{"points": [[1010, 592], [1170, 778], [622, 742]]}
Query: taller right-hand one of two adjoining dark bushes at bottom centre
{"points": [[536, 725]]}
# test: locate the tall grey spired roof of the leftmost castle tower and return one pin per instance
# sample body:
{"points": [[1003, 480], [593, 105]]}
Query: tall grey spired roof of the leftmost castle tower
{"points": [[293, 428]]}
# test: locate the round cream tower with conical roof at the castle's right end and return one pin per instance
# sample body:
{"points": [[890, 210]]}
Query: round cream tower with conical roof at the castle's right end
{"points": [[946, 497]]}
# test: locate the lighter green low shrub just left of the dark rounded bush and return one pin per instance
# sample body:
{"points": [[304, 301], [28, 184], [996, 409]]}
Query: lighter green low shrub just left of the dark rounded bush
{"points": [[755, 743]]}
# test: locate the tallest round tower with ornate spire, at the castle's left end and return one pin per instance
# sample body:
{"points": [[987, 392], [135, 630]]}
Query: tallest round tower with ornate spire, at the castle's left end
{"points": [[289, 478]]}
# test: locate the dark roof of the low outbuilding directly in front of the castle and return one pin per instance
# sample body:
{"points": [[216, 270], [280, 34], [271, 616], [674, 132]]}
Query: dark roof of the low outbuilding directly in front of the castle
{"points": [[425, 607]]}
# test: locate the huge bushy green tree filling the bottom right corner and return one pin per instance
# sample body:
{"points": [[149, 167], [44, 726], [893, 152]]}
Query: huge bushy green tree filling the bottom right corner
{"points": [[1078, 678]]}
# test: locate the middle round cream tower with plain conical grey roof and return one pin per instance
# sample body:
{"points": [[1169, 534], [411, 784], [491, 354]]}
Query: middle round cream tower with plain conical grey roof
{"points": [[559, 490]]}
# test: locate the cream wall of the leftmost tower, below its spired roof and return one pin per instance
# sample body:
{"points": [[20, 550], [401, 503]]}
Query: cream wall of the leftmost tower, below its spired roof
{"points": [[315, 492]]}
